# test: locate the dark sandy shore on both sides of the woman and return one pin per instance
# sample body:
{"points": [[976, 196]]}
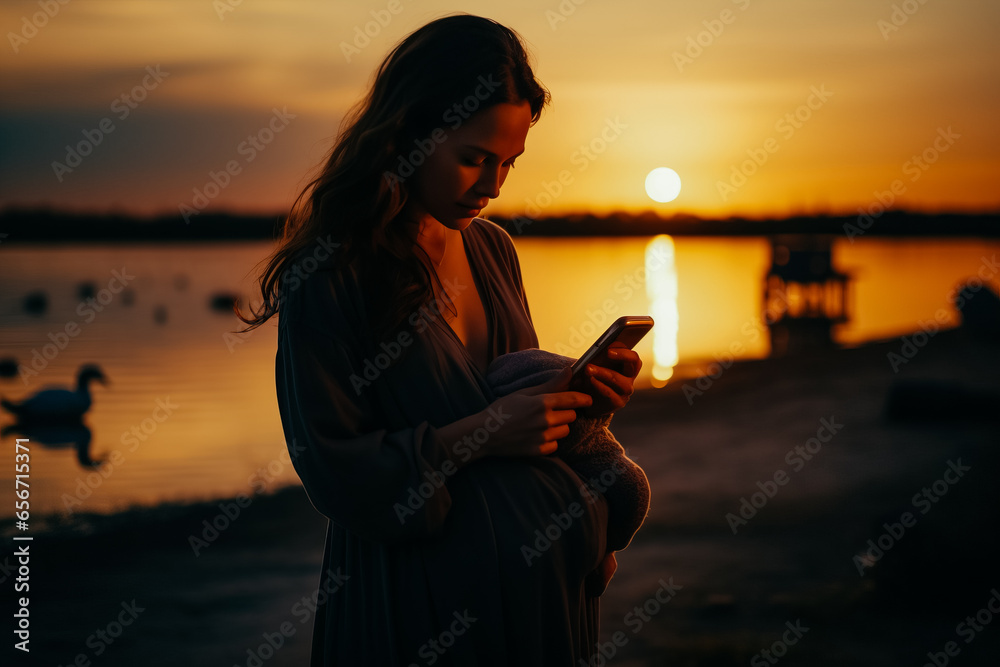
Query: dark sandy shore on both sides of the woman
{"points": [[791, 565]]}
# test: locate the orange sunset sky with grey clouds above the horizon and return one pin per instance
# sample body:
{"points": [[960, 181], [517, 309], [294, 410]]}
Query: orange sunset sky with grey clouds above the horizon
{"points": [[720, 91]]}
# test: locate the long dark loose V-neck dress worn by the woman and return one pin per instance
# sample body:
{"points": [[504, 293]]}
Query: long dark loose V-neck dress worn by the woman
{"points": [[484, 566]]}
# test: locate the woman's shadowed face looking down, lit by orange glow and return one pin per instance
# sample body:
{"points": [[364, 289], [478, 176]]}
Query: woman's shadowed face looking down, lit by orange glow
{"points": [[468, 165]]}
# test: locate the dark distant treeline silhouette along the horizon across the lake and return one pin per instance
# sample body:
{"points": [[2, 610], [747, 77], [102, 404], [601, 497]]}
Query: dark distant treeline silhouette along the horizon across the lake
{"points": [[53, 226]]}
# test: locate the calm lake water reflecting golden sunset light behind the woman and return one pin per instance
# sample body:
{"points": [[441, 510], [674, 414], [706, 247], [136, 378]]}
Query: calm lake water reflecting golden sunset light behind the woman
{"points": [[190, 411]]}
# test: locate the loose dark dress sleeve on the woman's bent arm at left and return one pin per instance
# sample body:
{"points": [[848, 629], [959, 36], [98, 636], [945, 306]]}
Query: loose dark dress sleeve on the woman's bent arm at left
{"points": [[367, 478]]}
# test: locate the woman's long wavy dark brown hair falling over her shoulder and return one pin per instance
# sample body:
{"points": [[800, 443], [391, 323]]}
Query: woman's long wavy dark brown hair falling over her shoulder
{"points": [[358, 198]]}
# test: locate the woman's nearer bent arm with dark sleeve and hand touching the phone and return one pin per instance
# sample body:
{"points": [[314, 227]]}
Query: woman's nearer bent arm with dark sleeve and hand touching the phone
{"points": [[392, 485]]}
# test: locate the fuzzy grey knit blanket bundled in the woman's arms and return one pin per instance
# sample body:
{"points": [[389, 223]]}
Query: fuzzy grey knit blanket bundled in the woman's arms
{"points": [[590, 449]]}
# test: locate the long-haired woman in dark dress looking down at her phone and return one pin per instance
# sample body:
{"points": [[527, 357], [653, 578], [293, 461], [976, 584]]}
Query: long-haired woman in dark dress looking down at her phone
{"points": [[454, 538]]}
